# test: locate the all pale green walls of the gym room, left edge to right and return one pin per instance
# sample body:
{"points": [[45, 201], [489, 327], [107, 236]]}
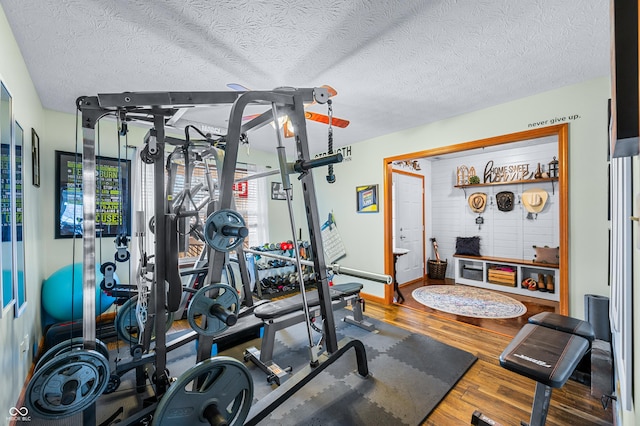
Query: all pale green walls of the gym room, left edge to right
{"points": [[362, 233]]}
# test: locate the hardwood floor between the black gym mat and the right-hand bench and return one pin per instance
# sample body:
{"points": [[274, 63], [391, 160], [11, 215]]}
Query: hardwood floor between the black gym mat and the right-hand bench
{"points": [[504, 396]]}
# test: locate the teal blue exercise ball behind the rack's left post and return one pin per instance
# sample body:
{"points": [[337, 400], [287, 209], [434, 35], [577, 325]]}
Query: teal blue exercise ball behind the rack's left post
{"points": [[62, 293]]}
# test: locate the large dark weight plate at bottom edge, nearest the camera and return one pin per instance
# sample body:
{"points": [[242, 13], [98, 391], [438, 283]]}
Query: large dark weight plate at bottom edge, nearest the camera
{"points": [[220, 385]]}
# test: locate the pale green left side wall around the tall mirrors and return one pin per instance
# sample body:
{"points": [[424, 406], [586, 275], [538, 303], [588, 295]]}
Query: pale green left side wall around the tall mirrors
{"points": [[27, 111]]}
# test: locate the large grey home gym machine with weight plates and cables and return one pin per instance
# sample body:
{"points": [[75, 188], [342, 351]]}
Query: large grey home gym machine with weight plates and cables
{"points": [[216, 390]]}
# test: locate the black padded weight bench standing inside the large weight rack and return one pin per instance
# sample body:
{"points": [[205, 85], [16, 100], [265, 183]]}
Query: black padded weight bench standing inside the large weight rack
{"points": [[280, 314]]}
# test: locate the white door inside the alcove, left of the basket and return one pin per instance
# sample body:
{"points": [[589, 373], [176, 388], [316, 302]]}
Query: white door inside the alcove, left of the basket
{"points": [[408, 218]]}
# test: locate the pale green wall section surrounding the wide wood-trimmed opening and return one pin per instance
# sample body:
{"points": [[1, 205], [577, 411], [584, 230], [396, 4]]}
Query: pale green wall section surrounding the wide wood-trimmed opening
{"points": [[585, 103]]}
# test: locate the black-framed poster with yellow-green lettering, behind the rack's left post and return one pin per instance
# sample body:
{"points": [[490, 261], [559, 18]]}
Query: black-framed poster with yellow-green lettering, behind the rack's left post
{"points": [[113, 189]]}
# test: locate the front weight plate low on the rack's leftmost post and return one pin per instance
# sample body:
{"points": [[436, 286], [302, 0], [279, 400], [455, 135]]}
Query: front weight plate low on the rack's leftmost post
{"points": [[67, 384]]}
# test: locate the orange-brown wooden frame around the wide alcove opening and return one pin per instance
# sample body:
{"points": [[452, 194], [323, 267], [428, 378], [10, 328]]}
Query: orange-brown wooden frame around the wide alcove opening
{"points": [[561, 131]]}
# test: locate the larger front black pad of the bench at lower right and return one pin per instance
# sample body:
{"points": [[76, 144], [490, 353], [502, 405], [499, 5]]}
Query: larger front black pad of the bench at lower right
{"points": [[543, 354]]}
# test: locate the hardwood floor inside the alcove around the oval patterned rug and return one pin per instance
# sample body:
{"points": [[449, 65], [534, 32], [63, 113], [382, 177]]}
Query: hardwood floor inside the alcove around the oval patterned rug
{"points": [[508, 326]]}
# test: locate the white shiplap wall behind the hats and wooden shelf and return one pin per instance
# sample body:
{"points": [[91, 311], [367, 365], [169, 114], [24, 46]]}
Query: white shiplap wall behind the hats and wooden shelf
{"points": [[503, 234]]}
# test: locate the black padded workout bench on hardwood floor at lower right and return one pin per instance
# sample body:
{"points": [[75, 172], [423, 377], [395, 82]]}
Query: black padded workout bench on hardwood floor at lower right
{"points": [[547, 349]]}
